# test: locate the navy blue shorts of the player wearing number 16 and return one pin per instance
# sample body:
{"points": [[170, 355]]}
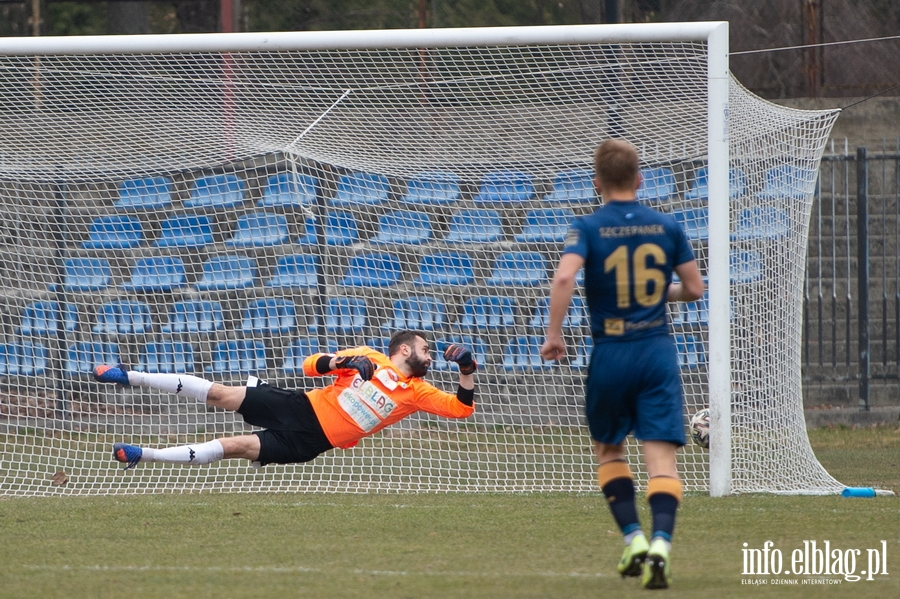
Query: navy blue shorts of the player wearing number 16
{"points": [[635, 386]]}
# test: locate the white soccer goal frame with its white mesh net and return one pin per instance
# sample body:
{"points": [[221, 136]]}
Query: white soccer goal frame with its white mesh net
{"points": [[226, 205]]}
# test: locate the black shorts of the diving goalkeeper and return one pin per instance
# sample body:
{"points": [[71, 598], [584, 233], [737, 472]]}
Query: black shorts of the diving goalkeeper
{"points": [[292, 431]]}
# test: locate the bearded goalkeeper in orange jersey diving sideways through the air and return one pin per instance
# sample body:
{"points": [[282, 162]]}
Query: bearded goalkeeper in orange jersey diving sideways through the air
{"points": [[371, 391]]}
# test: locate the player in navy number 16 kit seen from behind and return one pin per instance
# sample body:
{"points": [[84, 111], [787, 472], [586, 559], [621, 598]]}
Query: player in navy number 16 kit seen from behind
{"points": [[629, 252]]}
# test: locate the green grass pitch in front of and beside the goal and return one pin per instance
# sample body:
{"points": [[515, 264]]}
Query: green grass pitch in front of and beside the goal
{"points": [[440, 545]]}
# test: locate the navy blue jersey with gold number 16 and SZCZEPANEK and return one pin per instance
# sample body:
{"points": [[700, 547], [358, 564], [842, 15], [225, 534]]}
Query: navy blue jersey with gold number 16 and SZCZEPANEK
{"points": [[630, 252]]}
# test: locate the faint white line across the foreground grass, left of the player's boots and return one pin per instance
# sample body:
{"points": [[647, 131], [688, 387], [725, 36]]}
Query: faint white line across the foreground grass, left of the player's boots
{"points": [[304, 570]]}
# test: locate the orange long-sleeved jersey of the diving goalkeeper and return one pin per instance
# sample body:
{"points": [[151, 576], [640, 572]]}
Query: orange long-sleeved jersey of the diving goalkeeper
{"points": [[350, 408]]}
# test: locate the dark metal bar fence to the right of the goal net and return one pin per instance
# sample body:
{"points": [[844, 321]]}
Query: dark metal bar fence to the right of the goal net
{"points": [[851, 338]]}
